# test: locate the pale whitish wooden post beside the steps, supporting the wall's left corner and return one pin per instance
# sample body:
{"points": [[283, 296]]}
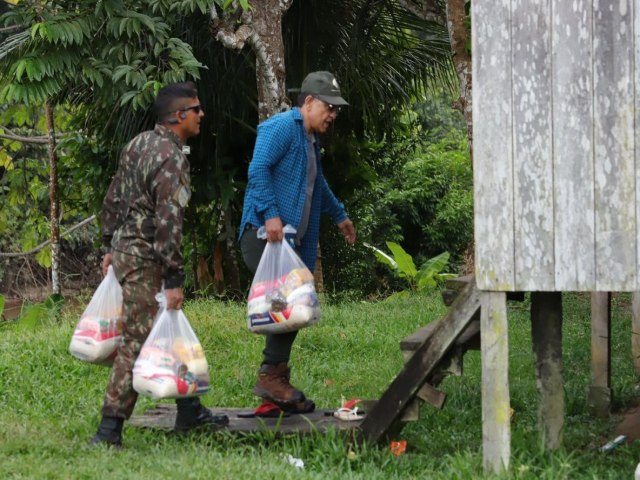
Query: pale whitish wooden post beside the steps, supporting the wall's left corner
{"points": [[494, 337]]}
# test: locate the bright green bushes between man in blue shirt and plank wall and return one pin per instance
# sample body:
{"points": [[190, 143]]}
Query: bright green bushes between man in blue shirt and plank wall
{"points": [[420, 197]]}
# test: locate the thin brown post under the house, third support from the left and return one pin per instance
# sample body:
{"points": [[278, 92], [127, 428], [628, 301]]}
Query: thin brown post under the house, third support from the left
{"points": [[599, 394]]}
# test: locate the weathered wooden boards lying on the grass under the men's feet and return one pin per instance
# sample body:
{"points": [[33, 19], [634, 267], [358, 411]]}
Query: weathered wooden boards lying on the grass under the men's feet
{"points": [[163, 417]]}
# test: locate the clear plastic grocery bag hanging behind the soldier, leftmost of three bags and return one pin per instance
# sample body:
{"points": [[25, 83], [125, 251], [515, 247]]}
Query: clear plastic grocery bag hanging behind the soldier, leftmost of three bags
{"points": [[98, 333]]}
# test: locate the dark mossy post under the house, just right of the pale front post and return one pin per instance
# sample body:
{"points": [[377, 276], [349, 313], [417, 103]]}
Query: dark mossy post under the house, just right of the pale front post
{"points": [[546, 328]]}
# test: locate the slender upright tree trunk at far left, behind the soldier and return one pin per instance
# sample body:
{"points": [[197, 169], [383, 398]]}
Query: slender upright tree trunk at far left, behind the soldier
{"points": [[53, 199]]}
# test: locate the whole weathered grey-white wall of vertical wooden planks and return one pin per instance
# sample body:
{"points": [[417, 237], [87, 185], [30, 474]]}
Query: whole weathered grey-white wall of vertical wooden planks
{"points": [[555, 115]]}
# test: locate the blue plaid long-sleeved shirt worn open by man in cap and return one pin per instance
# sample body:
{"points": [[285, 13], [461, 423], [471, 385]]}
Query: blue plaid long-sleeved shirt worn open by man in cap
{"points": [[278, 181]]}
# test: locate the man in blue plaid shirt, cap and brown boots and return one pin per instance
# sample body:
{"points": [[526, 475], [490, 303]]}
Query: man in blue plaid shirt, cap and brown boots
{"points": [[287, 187]]}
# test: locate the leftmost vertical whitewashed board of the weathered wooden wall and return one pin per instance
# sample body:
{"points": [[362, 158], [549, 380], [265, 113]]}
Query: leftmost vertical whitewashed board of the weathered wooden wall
{"points": [[493, 146]]}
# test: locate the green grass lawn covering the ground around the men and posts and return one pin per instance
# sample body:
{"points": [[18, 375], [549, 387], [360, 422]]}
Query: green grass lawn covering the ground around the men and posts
{"points": [[50, 402]]}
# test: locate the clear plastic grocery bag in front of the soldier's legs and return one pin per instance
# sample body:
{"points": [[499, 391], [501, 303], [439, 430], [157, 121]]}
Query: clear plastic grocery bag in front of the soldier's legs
{"points": [[171, 363]]}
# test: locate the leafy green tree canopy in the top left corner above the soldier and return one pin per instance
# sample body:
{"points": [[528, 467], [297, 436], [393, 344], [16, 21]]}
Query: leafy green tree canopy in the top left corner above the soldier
{"points": [[95, 52]]}
